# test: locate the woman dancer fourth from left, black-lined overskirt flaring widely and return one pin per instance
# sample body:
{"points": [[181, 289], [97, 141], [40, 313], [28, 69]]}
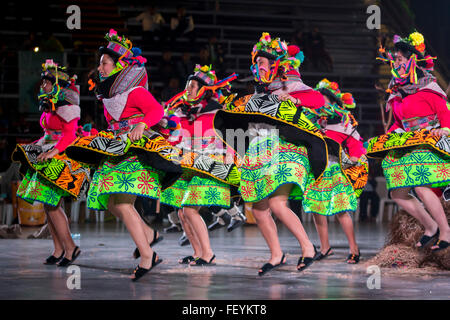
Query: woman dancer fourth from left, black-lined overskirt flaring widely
{"points": [[276, 167]]}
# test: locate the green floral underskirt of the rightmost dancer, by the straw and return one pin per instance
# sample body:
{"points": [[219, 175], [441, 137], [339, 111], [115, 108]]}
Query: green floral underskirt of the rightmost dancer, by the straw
{"points": [[420, 166]]}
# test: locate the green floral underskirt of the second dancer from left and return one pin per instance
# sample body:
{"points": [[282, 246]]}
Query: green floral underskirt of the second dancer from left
{"points": [[123, 175]]}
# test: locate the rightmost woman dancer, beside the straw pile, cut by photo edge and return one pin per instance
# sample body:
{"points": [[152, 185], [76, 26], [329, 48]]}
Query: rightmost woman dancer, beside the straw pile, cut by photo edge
{"points": [[415, 151]]}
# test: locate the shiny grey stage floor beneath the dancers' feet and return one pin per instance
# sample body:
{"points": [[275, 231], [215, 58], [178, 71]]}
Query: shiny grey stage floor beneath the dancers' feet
{"points": [[106, 263]]}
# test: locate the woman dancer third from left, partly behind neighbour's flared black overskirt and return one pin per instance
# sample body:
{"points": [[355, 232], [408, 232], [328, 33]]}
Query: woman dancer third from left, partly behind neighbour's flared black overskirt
{"points": [[209, 169]]}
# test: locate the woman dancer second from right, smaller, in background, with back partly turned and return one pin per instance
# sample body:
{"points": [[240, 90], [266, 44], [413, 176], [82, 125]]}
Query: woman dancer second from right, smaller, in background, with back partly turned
{"points": [[346, 173]]}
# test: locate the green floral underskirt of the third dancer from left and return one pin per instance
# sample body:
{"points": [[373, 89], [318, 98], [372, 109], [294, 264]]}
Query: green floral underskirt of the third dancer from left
{"points": [[197, 190]]}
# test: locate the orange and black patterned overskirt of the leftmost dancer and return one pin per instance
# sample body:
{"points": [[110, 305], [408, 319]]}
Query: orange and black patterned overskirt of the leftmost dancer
{"points": [[60, 171]]}
